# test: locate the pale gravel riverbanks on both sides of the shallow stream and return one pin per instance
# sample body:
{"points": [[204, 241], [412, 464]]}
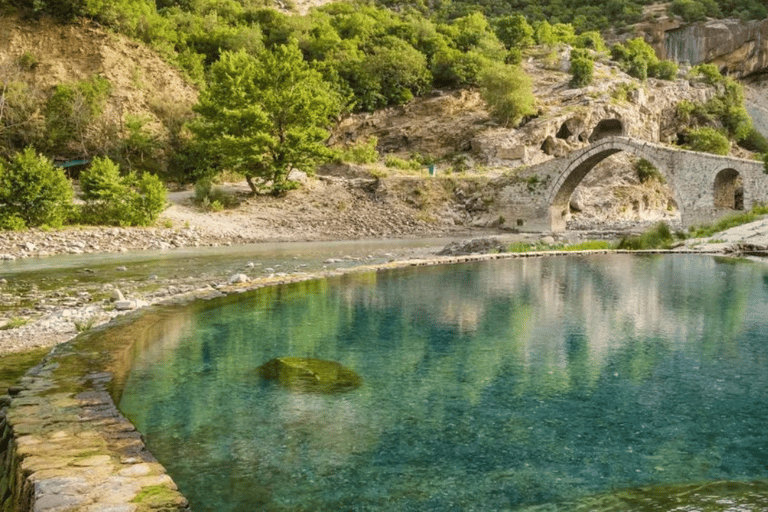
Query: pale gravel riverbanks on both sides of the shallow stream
{"points": [[42, 314]]}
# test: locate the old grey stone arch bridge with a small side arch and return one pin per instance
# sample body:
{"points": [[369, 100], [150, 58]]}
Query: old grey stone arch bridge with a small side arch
{"points": [[705, 186]]}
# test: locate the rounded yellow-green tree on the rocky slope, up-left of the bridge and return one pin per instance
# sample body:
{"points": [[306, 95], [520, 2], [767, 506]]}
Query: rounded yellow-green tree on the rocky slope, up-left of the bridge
{"points": [[508, 92]]}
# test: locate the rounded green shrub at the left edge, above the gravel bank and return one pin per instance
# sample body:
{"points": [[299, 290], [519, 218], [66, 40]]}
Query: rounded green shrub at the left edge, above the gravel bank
{"points": [[33, 192]]}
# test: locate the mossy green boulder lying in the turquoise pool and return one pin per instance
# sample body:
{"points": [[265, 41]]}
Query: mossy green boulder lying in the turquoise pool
{"points": [[307, 374]]}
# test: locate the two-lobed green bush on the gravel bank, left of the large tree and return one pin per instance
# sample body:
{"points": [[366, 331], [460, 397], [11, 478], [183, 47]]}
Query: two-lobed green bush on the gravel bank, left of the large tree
{"points": [[113, 199]]}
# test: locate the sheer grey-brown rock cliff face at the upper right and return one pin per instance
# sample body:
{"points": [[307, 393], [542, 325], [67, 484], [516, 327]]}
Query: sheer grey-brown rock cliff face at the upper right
{"points": [[737, 47]]}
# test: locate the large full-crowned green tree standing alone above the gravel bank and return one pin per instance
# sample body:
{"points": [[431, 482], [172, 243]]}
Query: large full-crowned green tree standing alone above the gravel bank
{"points": [[266, 115]]}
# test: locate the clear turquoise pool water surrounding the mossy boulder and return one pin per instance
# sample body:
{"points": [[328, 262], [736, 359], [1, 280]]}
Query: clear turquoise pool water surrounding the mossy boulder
{"points": [[490, 386]]}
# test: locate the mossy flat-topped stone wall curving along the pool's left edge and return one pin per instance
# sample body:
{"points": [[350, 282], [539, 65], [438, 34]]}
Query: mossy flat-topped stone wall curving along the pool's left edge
{"points": [[65, 447]]}
